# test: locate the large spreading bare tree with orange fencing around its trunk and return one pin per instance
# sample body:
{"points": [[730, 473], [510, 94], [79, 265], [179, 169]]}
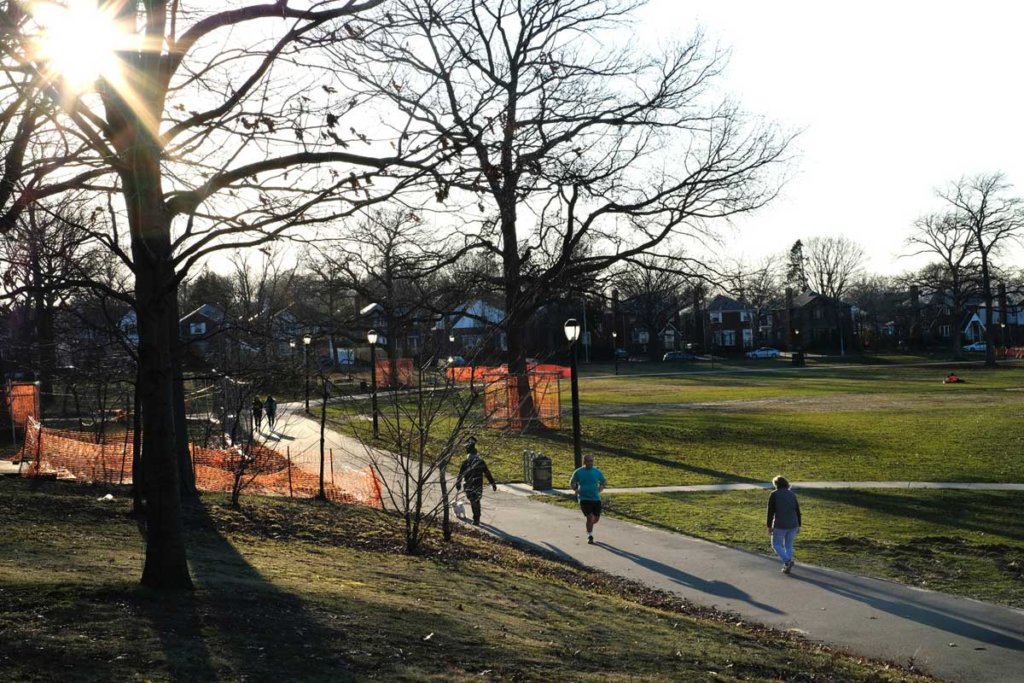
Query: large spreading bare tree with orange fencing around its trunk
{"points": [[566, 150]]}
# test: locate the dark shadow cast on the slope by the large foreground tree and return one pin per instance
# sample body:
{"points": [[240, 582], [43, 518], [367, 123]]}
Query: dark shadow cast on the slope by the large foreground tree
{"points": [[237, 624]]}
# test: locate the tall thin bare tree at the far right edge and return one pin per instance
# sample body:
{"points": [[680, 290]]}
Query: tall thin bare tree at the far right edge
{"points": [[983, 205]]}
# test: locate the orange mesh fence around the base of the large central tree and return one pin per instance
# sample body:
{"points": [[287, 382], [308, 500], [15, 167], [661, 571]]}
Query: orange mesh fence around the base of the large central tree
{"points": [[502, 401]]}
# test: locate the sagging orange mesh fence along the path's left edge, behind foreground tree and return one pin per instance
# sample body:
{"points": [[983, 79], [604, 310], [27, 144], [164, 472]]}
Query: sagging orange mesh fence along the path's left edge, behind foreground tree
{"points": [[76, 455]]}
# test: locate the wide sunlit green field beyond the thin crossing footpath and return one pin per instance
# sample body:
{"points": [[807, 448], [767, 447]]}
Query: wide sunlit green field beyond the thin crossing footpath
{"points": [[829, 422]]}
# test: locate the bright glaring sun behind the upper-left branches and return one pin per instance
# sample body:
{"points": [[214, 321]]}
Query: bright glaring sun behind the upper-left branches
{"points": [[79, 42]]}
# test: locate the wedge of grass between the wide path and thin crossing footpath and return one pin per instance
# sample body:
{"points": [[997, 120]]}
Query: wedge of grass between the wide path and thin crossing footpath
{"points": [[961, 542]]}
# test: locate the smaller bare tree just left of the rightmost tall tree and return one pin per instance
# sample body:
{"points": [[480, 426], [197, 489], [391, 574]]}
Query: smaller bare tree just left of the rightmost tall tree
{"points": [[953, 242]]}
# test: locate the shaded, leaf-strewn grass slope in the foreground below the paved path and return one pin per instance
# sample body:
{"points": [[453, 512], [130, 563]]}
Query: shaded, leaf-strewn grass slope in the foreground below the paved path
{"points": [[290, 590]]}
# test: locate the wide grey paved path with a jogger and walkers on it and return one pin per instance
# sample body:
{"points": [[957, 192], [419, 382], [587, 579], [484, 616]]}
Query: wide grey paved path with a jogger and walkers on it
{"points": [[955, 638]]}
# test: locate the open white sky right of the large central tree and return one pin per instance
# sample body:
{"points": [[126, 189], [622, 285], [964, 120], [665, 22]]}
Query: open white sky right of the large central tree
{"points": [[894, 100]]}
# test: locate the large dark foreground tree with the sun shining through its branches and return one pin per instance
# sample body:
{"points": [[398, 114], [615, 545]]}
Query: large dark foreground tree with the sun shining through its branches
{"points": [[216, 138]]}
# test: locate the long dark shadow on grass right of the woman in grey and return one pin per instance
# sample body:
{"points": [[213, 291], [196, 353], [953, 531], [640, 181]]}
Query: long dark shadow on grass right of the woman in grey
{"points": [[980, 511]]}
